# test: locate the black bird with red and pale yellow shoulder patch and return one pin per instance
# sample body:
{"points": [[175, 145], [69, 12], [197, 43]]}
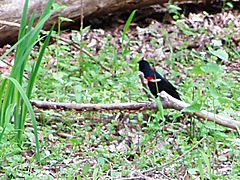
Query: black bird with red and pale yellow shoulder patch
{"points": [[156, 82]]}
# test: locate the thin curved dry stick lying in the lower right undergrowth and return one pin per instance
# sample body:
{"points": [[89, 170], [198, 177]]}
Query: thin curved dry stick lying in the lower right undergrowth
{"points": [[176, 159]]}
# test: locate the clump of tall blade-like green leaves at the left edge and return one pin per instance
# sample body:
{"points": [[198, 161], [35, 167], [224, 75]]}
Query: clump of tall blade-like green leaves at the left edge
{"points": [[14, 100]]}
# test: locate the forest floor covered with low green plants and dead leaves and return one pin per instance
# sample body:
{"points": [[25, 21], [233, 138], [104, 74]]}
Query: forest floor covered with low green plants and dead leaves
{"points": [[198, 53]]}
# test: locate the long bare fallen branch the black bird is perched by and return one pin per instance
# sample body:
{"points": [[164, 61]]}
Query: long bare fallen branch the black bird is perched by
{"points": [[168, 103]]}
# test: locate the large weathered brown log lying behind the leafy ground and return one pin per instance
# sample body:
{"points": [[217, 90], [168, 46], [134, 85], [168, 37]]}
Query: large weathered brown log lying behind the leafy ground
{"points": [[11, 10]]}
